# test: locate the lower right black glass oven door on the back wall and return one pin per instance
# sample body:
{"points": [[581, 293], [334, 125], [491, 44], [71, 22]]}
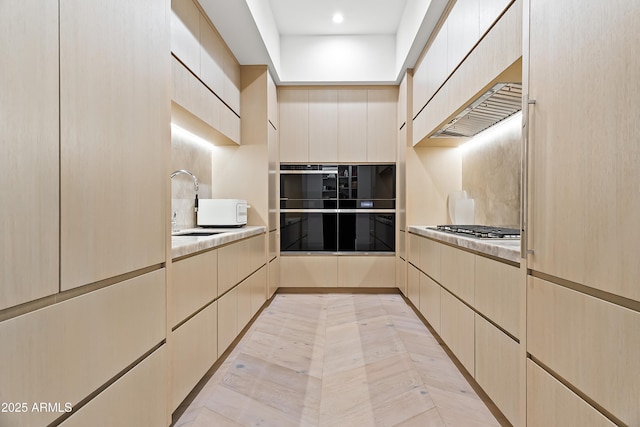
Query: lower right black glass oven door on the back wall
{"points": [[366, 231]]}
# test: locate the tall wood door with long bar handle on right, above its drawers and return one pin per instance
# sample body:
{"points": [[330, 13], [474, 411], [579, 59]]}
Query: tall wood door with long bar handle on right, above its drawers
{"points": [[584, 201]]}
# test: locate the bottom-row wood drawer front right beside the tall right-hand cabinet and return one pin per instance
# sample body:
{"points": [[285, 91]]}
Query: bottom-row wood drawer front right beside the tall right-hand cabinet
{"points": [[497, 368]]}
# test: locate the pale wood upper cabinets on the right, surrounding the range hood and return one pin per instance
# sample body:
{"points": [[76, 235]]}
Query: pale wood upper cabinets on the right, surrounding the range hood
{"points": [[475, 46]]}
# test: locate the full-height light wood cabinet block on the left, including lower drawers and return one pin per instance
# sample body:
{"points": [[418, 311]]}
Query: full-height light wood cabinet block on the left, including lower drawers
{"points": [[85, 140]]}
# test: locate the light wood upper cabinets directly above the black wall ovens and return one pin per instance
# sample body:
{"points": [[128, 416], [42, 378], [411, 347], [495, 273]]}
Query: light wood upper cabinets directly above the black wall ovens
{"points": [[338, 124]]}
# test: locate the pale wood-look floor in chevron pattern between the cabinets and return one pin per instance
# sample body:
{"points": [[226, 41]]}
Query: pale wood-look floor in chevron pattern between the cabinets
{"points": [[337, 360]]}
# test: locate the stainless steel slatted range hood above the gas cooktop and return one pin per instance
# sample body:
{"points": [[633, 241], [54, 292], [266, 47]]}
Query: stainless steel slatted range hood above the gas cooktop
{"points": [[501, 101]]}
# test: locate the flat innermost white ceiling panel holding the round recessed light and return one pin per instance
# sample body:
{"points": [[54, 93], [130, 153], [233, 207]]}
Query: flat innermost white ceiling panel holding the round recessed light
{"points": [[314, 17]]}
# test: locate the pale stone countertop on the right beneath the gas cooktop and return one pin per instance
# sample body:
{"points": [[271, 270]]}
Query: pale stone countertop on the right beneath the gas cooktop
{"points": [[508, 249]]}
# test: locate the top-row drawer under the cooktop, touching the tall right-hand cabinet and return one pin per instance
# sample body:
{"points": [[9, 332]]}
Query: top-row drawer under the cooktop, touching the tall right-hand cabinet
{"points": [[497, 294]]}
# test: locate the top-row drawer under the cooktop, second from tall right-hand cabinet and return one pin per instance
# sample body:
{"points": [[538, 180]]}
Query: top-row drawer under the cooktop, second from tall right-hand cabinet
{"points": [[457, 272]]}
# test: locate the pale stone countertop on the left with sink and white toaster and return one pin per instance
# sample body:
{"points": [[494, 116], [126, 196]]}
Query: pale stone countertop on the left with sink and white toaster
{"points": [[186, 245]]}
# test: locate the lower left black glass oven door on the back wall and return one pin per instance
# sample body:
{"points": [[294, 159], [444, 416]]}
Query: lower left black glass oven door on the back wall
{"points": [[309, 231]]}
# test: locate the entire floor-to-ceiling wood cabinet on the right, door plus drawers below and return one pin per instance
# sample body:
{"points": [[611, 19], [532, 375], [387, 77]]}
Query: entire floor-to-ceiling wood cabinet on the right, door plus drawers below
{"points": [[583, 207]]}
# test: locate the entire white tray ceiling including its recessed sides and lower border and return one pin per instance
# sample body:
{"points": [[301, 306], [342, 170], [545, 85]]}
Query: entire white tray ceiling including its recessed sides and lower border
{"points": [[376, 43]]}
